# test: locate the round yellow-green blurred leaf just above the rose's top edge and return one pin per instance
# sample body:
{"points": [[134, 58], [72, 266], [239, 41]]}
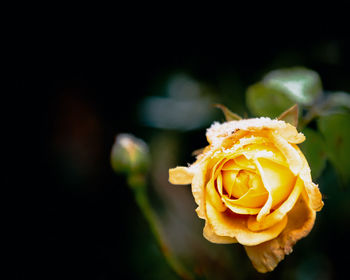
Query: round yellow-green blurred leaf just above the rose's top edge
{"points": [[263, 100]]}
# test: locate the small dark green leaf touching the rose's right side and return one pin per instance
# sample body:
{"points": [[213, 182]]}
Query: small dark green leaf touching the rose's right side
{"points": [[314, 150]]}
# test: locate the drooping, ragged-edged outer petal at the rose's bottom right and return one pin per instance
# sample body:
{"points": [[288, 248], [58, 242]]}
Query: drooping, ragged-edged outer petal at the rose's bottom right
{"points": [[267, 255]]}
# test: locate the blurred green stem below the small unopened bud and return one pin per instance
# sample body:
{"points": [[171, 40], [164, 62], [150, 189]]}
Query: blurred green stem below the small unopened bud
{"points": [[144, 204]]}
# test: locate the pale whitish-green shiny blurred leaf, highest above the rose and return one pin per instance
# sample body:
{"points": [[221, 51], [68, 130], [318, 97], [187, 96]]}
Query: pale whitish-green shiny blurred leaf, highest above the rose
{"points": [[300, 84]]}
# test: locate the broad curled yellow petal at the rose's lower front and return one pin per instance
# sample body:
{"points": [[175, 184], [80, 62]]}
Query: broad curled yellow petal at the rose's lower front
{"points": [[235, 226]]}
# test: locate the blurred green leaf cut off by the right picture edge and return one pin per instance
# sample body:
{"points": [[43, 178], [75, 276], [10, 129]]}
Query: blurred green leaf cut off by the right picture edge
{"points": [[336, 131]]}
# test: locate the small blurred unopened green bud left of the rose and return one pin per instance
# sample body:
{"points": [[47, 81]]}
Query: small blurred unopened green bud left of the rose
{"points": [[130, 155]]}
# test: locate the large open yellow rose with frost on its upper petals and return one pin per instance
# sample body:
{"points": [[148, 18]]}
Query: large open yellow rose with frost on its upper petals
{"points": [[253, 186]]}
